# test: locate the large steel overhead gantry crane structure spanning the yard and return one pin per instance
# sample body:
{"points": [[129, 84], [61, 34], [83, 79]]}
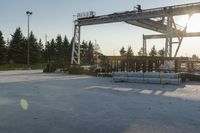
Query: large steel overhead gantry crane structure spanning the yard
{"points": [[160, 20]]}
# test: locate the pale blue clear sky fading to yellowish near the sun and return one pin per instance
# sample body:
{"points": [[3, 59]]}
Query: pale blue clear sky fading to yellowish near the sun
{"points": [[53, 17]]}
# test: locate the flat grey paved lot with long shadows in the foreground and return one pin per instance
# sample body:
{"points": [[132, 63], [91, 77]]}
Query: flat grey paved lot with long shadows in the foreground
{"points": [[34, 102]]}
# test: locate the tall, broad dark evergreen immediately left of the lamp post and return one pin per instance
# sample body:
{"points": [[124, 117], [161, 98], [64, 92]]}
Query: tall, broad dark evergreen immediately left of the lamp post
{"points": [[18, 48]]}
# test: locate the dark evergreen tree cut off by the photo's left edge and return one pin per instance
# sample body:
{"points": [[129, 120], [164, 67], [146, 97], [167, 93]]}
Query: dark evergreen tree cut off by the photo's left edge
{"points": [[2, 49]]}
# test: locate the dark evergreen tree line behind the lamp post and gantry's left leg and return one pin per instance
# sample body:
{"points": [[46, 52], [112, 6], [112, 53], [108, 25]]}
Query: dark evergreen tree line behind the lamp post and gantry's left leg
{"points": [[56, 50]]}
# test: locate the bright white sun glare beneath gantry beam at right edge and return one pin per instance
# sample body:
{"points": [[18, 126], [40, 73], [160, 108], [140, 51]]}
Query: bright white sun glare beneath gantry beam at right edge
{"points": [[194, 23]]}
